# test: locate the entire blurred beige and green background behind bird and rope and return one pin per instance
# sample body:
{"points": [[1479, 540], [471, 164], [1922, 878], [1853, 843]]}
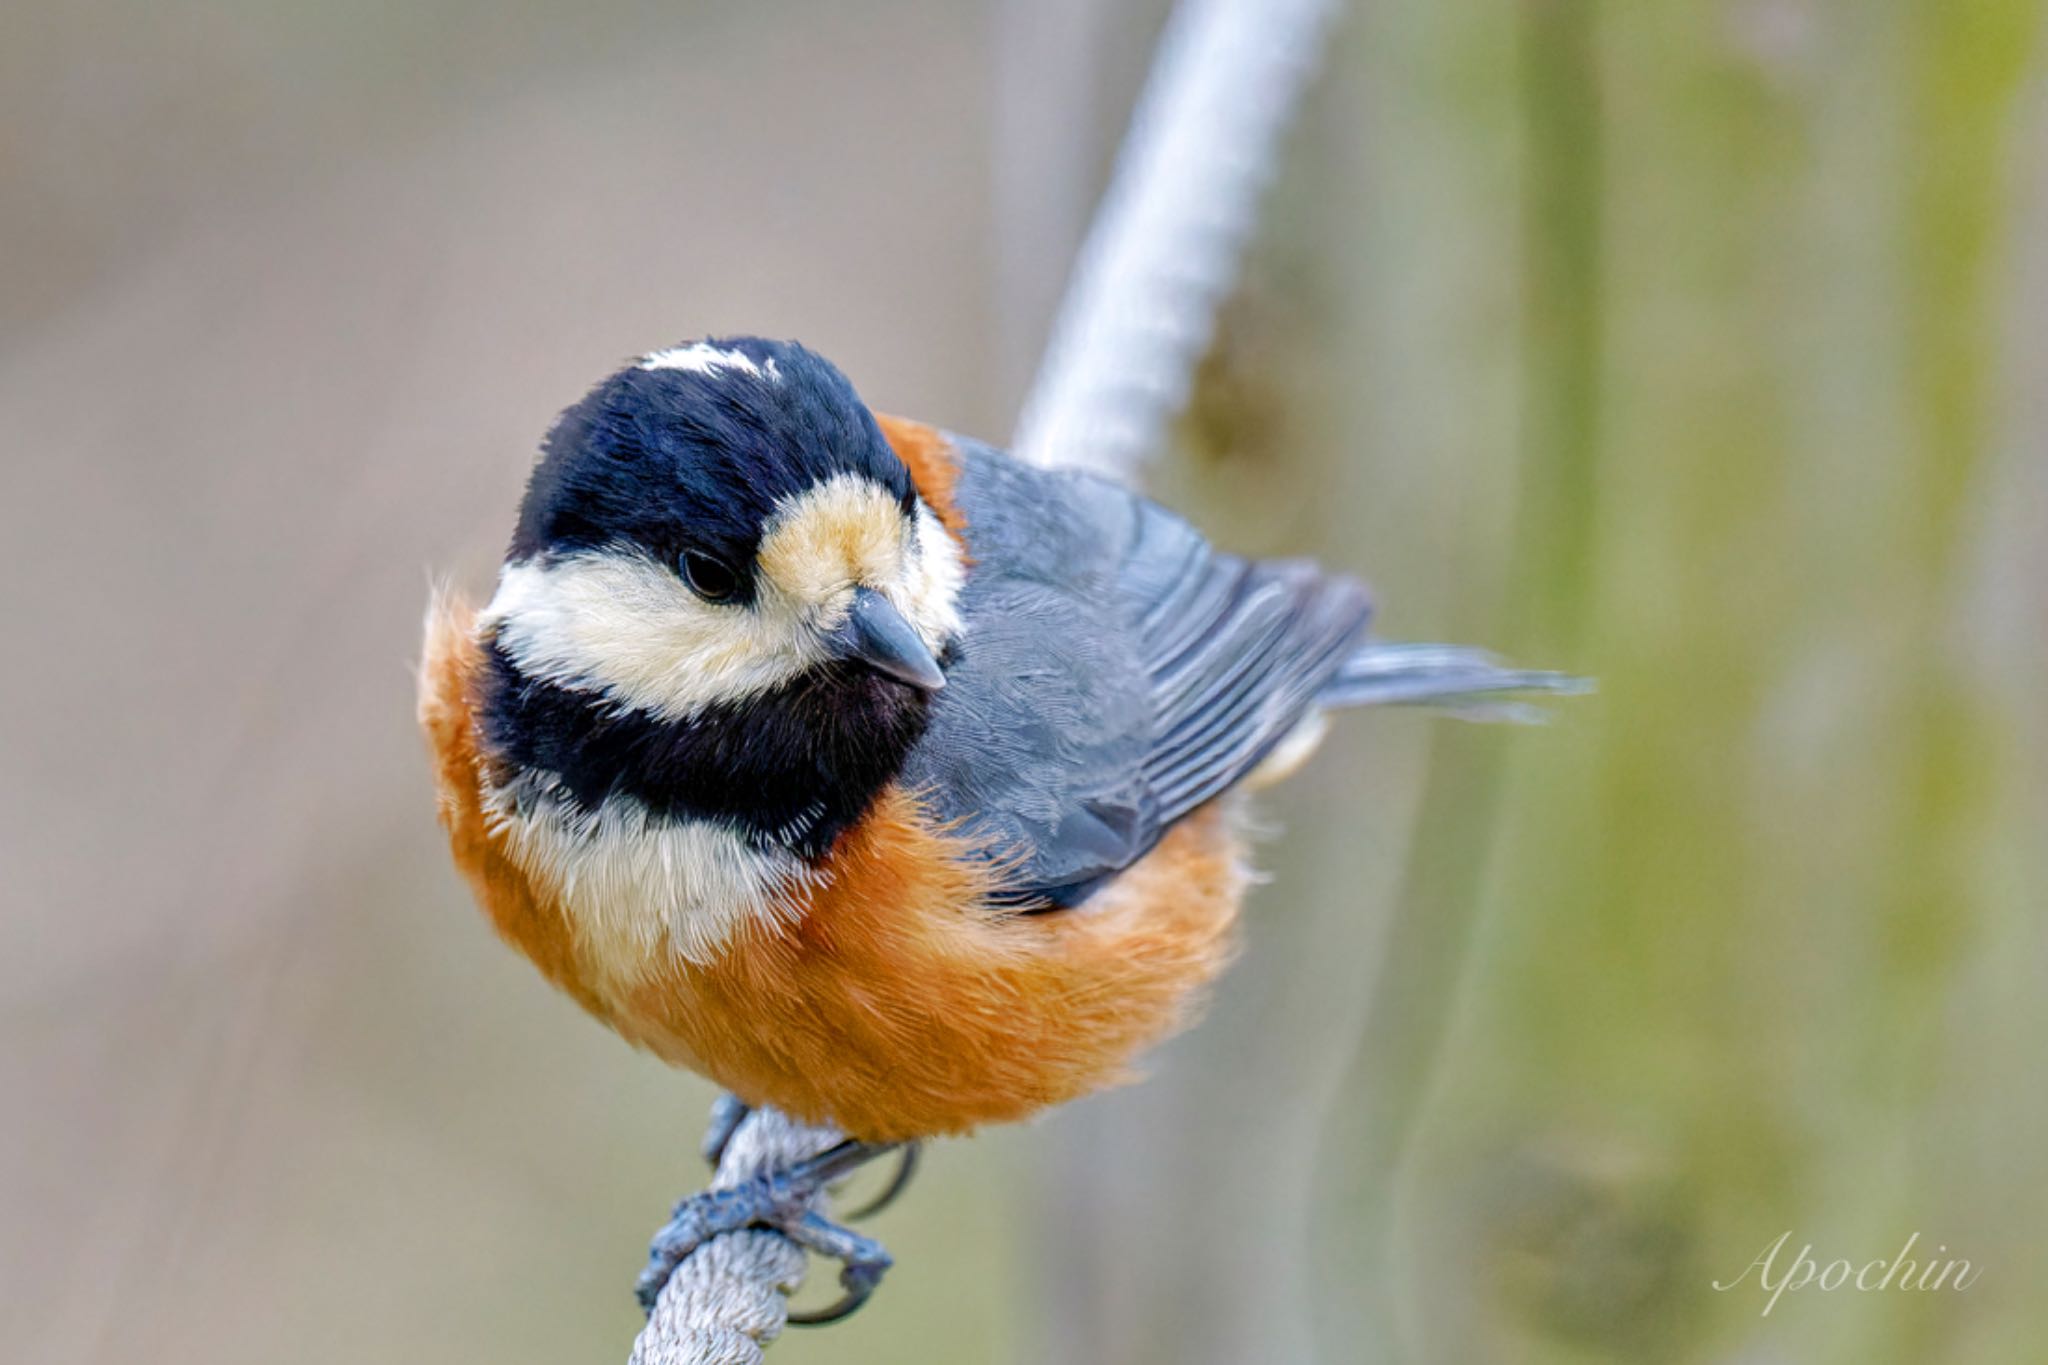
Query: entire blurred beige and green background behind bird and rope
{"points": [[1695, 345]]}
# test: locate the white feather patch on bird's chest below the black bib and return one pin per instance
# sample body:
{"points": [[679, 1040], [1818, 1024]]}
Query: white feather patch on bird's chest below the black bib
{"points": [[638, 885]]}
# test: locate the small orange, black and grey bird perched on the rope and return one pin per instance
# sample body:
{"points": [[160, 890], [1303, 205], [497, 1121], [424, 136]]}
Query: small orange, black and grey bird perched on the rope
{"points": [[865, 770]]}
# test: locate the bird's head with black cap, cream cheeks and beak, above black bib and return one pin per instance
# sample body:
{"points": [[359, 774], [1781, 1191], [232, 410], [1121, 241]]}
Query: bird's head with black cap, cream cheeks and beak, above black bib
{"points": [[718, 523]]}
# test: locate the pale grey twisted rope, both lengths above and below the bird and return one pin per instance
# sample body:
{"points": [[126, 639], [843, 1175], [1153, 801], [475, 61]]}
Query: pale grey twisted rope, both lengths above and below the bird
{"points": [[1164, 249]]}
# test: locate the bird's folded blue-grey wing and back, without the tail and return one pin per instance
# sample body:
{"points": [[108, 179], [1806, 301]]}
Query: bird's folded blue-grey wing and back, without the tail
{"points": [[1115, 674]]}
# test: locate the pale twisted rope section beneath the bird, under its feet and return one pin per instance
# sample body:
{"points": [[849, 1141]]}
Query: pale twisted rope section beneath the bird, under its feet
{"points": [[730, 1298]]}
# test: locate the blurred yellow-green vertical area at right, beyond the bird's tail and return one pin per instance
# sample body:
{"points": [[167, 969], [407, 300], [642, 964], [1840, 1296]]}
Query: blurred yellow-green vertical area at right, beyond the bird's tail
{"points": [[1748, 953]]}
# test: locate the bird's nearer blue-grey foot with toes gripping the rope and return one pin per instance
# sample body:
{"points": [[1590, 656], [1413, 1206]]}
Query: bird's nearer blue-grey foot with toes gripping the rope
{"points": [[779, 1200]]}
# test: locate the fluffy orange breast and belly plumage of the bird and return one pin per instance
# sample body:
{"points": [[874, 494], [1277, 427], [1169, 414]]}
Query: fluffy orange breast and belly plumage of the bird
{"points": [[900, 1004]]}
